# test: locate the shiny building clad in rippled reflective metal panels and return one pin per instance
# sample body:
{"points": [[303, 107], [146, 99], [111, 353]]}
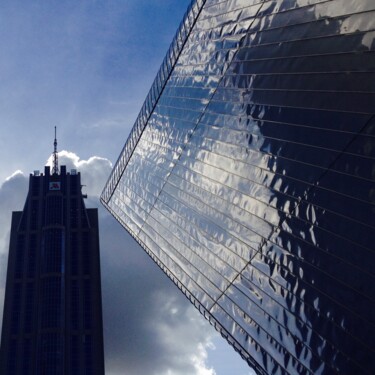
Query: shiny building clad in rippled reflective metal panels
{"points": [[249, 178]]}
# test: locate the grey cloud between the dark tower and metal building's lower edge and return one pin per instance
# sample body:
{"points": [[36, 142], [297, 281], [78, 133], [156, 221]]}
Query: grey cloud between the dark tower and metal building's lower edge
{"points": [[153, 329]]}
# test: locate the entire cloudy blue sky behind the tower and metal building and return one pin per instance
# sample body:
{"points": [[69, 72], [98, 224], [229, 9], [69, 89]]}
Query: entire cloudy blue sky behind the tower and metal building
{"points": [[86, 67]]}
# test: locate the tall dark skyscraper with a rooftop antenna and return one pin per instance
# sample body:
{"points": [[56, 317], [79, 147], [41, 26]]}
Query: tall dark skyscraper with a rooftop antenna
{"points": [[52, 321]]}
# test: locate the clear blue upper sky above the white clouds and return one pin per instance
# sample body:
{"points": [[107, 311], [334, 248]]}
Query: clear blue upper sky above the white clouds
{"points": [[84, 66]]}
